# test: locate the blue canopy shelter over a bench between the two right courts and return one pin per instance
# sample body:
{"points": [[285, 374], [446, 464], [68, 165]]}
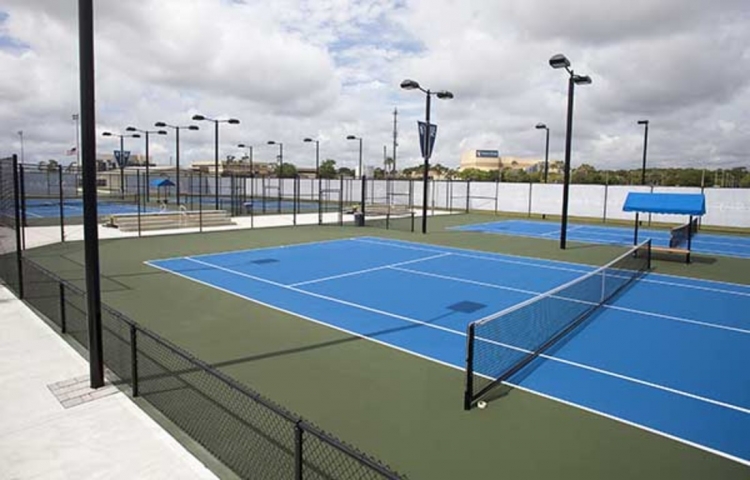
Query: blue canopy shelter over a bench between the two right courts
{"points": [[691, 204]]}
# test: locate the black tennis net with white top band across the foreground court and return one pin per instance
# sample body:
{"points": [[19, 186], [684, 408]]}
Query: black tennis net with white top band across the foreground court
{"points": [[500, 345]]}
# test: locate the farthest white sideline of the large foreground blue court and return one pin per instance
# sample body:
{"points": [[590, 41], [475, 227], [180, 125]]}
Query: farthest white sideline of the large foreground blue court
{"points": [[588, 268]]}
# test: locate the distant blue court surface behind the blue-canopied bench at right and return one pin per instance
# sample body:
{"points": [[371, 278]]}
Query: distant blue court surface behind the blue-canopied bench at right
{"points": [[733, 246]]}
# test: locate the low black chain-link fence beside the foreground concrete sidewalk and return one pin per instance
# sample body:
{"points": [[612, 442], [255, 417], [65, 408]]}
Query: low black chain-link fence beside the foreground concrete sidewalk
{"points": [[250, 434]]}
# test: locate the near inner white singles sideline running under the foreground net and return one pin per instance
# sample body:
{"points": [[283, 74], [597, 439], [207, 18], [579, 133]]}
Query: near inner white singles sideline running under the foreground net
{"points": [[463, 334]]}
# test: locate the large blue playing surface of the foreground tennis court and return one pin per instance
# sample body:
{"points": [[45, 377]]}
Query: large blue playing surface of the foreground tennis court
{"points": [[668, 355]]}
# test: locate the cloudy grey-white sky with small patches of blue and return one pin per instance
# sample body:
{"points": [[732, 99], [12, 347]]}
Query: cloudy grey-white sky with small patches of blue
{"points": [[289, 69]]}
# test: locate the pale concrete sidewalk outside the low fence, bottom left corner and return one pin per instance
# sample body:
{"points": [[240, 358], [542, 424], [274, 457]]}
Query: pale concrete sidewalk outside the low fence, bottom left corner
{"points": [[53, 426]]}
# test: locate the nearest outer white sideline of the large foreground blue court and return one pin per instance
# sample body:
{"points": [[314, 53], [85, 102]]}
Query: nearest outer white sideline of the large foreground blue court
{"points": [[445, 364]]}
